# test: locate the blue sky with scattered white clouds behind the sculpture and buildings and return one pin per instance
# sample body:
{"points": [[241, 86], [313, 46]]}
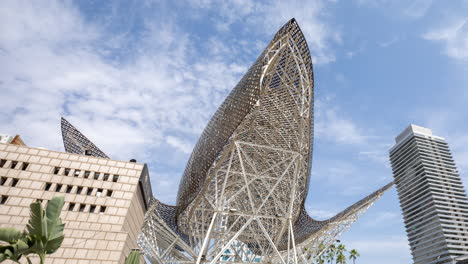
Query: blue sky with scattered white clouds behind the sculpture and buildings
{"points": [[142, 78]]}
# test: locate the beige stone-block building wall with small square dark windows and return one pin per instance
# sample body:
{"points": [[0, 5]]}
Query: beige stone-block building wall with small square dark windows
{"points": [[99, 228]]}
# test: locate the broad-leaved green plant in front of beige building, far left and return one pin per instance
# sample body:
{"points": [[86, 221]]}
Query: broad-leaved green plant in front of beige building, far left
{"points": [[43, 234]]}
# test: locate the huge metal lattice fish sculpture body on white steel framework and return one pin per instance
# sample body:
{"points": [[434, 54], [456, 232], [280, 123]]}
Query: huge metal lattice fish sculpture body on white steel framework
{"points": [[241, 198]]}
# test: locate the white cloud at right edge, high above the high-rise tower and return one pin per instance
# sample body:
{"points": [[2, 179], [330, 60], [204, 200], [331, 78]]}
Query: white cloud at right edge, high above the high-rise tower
{"points": [[454, 37]]}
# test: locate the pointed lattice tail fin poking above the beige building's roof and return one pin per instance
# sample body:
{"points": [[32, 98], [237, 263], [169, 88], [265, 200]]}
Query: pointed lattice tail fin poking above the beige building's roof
{"points": [[75, 142]]}
